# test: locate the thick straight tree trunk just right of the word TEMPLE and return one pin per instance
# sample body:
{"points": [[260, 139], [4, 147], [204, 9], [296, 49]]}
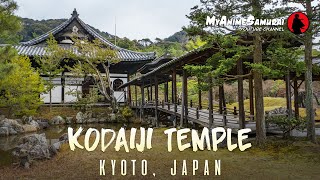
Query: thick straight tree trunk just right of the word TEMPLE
{"points": [[258, 91]]}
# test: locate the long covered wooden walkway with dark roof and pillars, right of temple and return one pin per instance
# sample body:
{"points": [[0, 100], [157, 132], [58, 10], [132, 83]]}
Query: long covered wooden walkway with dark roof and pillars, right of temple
{"points": [[188, 112]]}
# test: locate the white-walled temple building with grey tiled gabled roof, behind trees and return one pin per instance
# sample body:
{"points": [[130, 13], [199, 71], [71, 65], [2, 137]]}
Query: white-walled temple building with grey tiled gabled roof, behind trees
{"points": [[130, 61]]}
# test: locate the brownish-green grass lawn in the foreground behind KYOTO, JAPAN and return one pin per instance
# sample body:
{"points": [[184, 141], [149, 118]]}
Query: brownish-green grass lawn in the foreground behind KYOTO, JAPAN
{"points": [[280, 159]]}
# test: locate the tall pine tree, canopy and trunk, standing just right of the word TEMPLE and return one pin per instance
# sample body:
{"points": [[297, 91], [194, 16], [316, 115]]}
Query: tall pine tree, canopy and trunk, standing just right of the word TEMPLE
{"points": [[260, 9]]}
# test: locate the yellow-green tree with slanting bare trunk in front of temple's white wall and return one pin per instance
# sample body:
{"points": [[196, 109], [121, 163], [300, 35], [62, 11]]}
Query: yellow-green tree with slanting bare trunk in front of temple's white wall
{"points": [[90, 58]]}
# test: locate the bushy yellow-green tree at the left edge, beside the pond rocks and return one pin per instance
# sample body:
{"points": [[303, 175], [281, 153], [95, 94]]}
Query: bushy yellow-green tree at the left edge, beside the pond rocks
{"points": [[21, 88]]}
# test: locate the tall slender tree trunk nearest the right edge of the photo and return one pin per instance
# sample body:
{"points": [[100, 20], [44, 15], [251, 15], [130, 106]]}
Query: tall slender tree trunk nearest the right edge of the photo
{"points": [[308, 79]]}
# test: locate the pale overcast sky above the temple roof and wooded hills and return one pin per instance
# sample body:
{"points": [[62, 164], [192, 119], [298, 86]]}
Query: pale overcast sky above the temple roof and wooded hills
{"points": [[136, 19]]}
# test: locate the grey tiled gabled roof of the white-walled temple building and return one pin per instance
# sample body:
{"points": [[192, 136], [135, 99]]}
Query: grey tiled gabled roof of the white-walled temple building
{"points": [[31, 48]]}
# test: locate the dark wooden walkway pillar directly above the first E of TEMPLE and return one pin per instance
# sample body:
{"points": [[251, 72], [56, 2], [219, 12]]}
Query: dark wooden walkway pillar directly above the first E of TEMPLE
{"points": [[184, 104]]}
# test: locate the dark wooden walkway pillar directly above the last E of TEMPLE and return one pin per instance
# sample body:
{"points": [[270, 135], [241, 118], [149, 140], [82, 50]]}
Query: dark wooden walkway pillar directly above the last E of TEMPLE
{"points": [[242, 124]]}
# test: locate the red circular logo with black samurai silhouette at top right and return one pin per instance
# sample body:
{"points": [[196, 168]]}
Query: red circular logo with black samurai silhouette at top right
{"points": [[298, 23]]}
